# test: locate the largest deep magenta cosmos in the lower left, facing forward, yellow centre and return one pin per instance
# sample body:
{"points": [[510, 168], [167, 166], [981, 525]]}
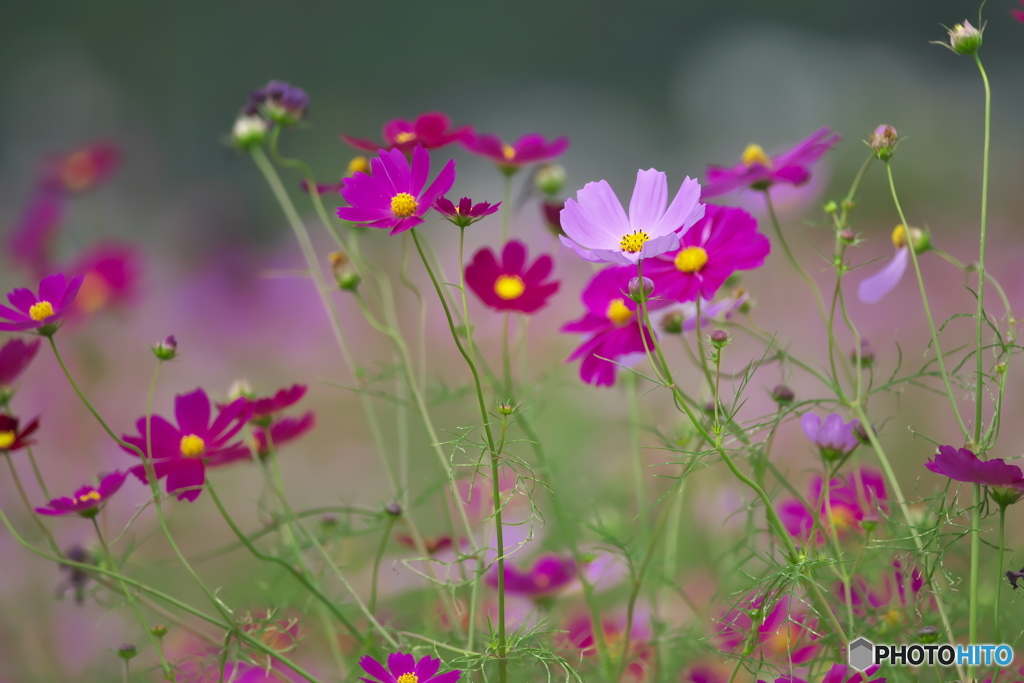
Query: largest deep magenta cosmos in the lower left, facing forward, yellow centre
{"points": [[182, 454]]}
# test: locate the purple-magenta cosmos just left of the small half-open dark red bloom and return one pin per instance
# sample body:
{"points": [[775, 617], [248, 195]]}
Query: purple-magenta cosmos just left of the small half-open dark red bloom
{"points": [[393, 195]]}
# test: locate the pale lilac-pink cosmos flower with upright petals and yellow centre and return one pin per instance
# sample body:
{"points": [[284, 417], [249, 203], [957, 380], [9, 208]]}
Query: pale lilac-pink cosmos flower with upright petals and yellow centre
{"points": [[598, 229]]}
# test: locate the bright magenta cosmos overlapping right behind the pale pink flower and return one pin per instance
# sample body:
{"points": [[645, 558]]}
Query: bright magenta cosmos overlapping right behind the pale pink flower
{"points": [[724, 241]]}
